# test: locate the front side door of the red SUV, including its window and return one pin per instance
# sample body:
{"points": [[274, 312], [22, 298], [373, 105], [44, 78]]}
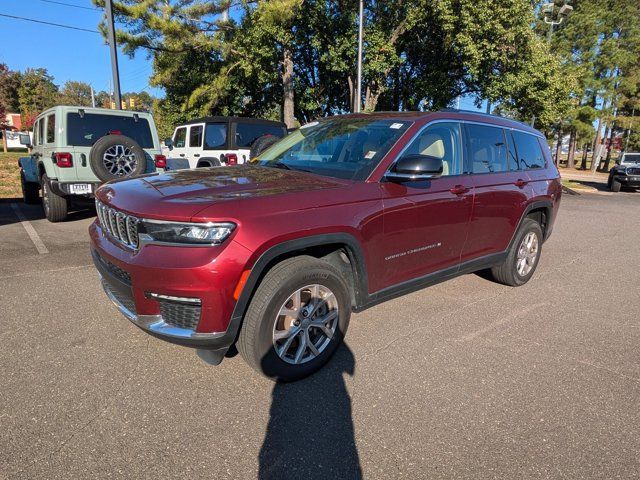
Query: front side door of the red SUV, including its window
{"points": [[425, 222]]}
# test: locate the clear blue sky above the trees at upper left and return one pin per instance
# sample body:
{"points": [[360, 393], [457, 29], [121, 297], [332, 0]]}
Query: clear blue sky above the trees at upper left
{"points": [[66, 54]]}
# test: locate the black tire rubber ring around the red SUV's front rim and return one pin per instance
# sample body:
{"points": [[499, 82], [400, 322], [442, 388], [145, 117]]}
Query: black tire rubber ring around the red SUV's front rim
{"points": [[272, 365]]}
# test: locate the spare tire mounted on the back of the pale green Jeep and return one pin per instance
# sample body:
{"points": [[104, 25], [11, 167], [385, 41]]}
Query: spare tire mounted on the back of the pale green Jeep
{"points": [[117, 156]]}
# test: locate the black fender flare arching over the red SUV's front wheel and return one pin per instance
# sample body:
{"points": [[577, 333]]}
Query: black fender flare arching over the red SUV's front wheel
{"points": [[259, 268]]}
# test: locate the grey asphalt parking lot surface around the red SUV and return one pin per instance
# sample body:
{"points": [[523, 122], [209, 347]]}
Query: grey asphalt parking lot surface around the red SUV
{"points": [[467, 379]]}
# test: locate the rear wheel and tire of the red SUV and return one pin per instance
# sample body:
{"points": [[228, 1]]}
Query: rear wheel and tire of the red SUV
{"points": [[508, 272]]}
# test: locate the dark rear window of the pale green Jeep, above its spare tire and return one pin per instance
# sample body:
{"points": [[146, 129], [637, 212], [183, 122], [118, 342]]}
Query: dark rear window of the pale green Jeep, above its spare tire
{"points": [[86, 130]]}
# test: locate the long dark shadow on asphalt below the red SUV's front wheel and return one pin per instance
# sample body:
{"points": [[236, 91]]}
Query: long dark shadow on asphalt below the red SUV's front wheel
{"points": [[310, 432]]}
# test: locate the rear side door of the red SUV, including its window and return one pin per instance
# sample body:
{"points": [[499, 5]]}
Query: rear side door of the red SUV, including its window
{"points": [[501, 190]]}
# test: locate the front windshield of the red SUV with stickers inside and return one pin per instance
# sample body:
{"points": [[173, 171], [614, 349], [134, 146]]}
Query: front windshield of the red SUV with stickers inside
{"points": [[348, 148]]}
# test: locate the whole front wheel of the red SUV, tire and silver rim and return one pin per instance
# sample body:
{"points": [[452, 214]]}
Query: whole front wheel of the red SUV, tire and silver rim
{"points": [[256, 341]]}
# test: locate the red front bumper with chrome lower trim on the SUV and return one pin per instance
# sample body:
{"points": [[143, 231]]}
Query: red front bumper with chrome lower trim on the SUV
{"points": [[135, 281]]}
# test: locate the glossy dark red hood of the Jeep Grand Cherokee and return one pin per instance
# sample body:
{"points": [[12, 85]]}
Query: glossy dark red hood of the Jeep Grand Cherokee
{"points": [[180, 195]]}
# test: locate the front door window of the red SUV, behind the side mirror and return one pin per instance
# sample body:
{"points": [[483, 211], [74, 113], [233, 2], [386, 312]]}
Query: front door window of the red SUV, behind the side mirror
{"points": [[443, 141]]}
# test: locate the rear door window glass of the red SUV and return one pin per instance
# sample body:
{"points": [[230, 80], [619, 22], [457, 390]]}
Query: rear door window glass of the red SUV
{"points": [[487, 149]]}
